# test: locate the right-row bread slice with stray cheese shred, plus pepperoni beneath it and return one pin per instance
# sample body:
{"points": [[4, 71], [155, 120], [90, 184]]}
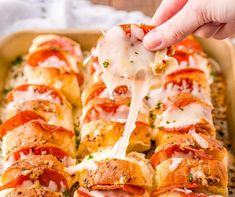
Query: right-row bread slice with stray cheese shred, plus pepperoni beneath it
{"points": [[192, 145]]}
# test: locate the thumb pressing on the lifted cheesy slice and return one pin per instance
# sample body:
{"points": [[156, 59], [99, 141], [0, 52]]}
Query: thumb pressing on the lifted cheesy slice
{"points": [[186, 21]]}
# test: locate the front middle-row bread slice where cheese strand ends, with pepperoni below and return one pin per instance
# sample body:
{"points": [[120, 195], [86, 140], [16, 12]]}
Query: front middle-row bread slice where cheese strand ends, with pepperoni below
{"points": [[100, 172]]}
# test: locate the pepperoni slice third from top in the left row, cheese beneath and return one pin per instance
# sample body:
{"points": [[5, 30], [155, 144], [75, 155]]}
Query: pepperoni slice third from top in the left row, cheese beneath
{"points": [[40, 89]]}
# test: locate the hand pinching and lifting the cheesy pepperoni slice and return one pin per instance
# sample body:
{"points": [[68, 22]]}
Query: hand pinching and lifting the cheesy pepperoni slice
{"points": [[176, 19]]}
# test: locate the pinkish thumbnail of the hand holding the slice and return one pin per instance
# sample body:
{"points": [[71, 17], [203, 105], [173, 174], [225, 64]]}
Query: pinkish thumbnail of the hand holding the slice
{"points": [[152, 41]]}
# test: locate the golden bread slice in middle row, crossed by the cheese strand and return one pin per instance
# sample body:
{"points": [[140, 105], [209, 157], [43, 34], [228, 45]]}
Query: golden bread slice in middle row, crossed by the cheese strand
{"points": [[101, 134]]}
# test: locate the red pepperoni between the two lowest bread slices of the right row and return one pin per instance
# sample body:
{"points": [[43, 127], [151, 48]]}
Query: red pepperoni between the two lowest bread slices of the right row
{"points": [[168, 152]]}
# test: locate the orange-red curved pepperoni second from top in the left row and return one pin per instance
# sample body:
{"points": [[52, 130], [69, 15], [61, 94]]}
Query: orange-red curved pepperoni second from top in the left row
{"points": [[43, 54]]}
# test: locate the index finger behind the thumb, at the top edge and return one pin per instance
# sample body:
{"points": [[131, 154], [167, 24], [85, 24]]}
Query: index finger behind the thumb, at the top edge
{"points": [[166, 10]]}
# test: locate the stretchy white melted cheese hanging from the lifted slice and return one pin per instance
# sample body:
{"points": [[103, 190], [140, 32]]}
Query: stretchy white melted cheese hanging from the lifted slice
{"points": [[126, 62]]}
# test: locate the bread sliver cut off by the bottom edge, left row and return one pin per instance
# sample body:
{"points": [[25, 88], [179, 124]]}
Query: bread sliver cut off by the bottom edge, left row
{"points": [[33, 192]]}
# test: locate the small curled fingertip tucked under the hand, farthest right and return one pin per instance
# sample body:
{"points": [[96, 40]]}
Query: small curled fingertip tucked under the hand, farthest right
{"points": [[208, 30]]}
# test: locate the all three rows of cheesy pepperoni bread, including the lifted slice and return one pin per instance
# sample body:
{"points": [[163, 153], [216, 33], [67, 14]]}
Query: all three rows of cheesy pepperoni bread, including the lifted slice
{"points": [[128, 123]]}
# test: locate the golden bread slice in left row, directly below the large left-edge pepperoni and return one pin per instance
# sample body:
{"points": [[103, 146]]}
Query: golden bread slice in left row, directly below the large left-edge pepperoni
{"points": [[35, 132]]}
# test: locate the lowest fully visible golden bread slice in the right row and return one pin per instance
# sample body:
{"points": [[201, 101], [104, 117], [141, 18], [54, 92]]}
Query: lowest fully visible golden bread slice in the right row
{"points": [[210, 174]]}
